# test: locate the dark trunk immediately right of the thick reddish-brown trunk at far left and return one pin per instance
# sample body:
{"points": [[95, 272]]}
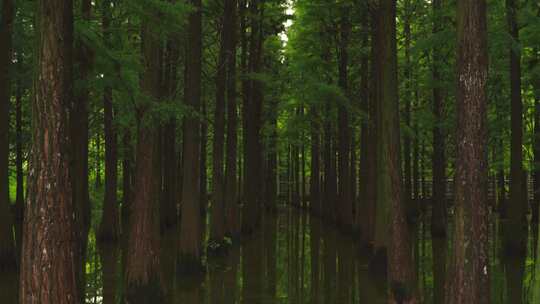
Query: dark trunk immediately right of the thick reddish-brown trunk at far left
{"points": [[79, 133]]}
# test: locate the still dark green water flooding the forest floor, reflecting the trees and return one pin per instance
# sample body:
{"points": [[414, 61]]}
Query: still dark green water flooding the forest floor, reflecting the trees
{"points": [[296, 259]]}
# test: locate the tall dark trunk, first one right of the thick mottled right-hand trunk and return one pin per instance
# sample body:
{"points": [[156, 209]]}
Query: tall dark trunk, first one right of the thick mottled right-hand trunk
{"points": [[515, 242]]}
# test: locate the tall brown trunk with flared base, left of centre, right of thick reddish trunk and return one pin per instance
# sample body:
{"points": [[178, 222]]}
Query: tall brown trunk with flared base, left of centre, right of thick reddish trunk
{"points": [[190, 224]]}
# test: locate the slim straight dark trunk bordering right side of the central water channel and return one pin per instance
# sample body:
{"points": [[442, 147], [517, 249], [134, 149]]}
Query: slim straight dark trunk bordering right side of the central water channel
{"points": [[345, 199]]}
